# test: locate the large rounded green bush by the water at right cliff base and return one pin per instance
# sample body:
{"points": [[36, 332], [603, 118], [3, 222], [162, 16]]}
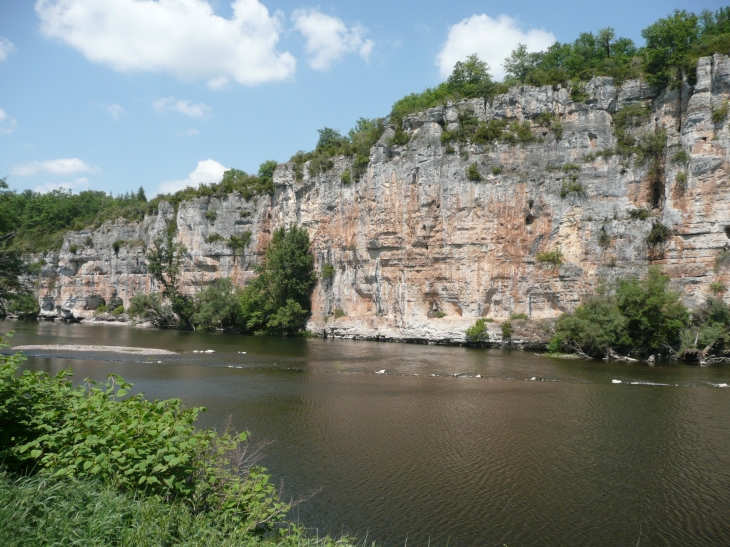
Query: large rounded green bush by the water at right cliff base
{"points": [[637, 315]]}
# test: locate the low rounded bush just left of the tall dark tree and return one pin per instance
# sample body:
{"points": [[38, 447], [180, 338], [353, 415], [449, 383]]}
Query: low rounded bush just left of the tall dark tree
{"points": [[218, 306]]}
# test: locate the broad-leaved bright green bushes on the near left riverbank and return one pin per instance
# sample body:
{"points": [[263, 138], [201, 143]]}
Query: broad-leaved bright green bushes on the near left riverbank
{"points": [[152, 449]]}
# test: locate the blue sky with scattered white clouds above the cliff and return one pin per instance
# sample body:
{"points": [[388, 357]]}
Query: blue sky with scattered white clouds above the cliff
{"points": [[116, 94]]}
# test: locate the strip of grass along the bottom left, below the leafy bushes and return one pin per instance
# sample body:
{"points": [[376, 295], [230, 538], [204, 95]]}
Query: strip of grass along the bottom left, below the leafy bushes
{"points": [[40, 510]]}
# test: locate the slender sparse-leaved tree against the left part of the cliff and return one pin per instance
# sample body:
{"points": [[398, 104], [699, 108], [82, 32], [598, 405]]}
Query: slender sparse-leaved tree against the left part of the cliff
{"points": [[164, 264]]}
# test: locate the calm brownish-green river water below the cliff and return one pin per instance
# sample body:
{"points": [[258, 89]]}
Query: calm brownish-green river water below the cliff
{"points": [[537, 451]]}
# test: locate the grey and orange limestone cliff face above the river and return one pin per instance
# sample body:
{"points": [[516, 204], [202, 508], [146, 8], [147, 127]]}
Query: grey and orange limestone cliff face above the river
{"points": [[420, 251]]}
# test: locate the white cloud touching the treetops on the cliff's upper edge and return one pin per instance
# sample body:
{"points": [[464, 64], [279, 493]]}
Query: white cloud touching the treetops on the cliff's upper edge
{"points": [[492, 39]]}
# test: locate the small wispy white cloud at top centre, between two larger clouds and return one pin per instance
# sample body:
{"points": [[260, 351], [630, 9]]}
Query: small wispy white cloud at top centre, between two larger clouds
{"points": [[329, 39]]}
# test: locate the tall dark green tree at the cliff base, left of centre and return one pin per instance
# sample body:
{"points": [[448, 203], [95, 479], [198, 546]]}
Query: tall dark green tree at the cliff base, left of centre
{"points": [[277, 301]]}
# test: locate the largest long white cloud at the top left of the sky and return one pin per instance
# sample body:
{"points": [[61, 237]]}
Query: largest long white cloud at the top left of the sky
{"points": [[184, 38]]}
